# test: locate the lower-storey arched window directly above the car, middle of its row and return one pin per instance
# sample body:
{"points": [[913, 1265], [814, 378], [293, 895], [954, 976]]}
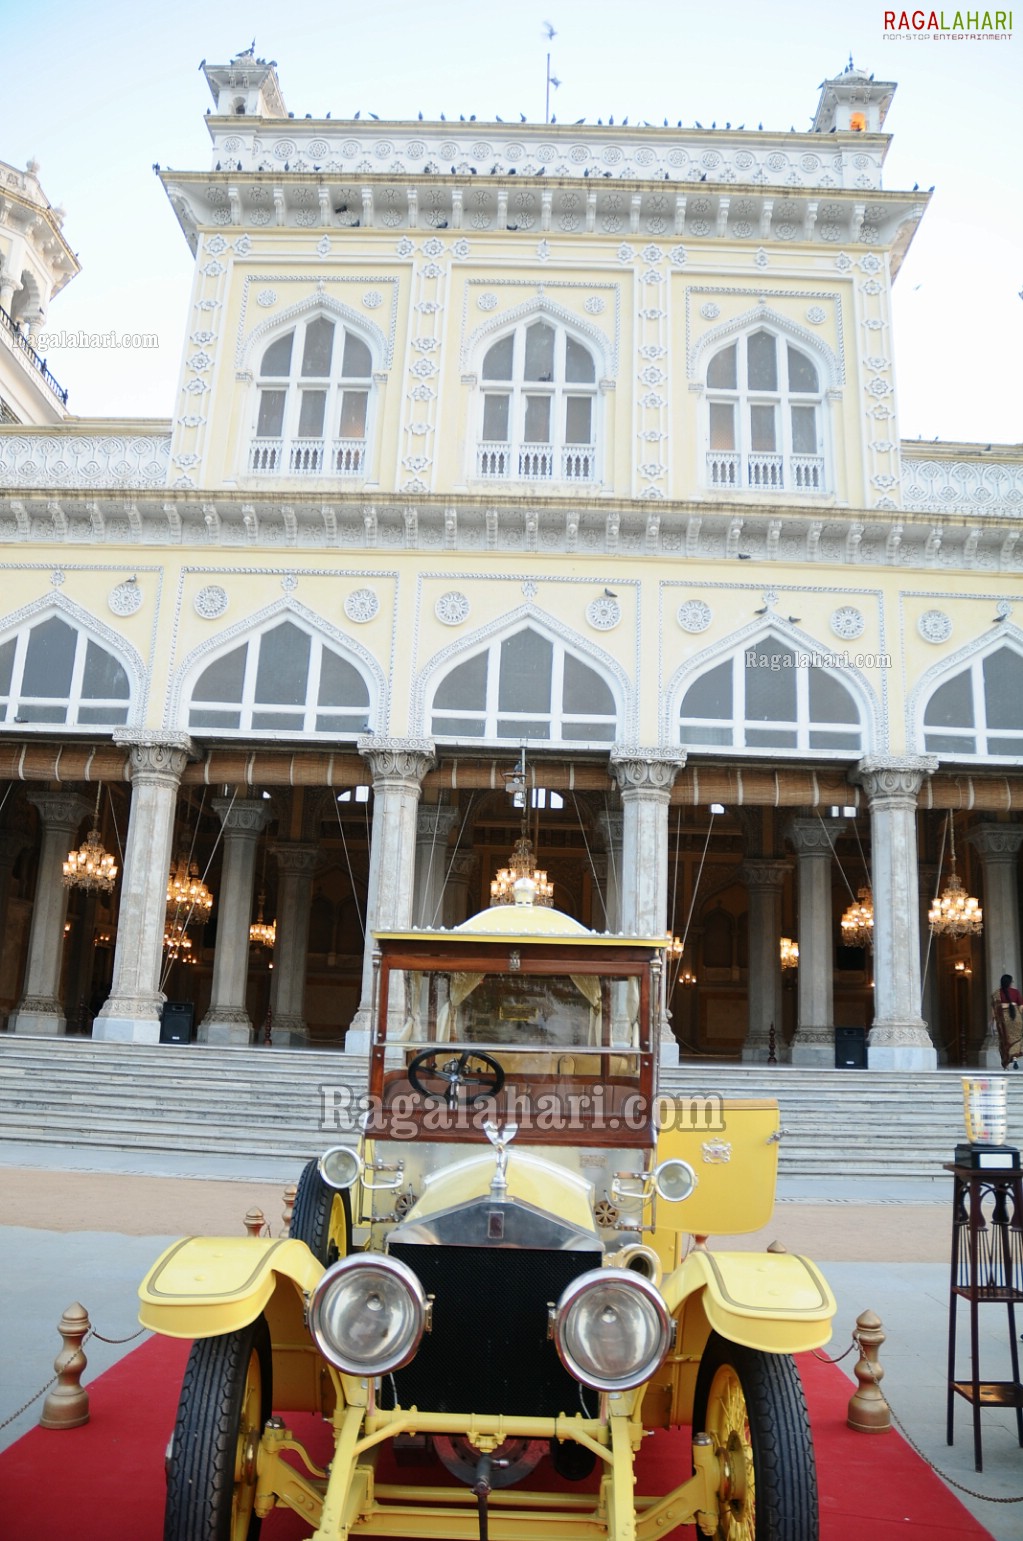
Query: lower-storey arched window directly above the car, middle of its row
{"points": [[525, 687]]}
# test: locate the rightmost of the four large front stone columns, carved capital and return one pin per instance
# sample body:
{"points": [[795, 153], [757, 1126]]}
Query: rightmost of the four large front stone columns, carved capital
{"points": [[899, 1038]]}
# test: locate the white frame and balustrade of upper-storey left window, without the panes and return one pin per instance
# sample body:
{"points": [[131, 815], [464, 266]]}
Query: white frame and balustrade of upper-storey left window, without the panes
{"points": [[327, 457]]}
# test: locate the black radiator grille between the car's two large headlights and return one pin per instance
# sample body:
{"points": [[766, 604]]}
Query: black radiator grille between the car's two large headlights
{"points": [[489, 1351]]}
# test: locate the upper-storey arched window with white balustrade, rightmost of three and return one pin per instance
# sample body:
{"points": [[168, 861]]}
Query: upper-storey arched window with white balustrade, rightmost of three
{"points": [[765, 417]]}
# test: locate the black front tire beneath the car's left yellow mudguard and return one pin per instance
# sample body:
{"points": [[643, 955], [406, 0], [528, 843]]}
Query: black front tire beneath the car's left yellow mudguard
{"points": [[212, 1469]]}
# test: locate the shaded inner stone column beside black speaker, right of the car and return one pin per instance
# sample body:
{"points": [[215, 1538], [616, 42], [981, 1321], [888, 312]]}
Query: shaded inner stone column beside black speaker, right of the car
{"points": [[814, 1042]]}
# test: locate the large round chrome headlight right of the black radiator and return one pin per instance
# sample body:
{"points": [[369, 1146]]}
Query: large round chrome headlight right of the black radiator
{"points": [[612, 1329]]}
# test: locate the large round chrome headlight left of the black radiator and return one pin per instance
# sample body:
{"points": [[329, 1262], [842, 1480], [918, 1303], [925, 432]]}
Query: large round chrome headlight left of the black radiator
{"points": [[369, 1314]]}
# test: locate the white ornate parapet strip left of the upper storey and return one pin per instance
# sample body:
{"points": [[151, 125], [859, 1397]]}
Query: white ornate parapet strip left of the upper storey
{"points": [[78, 460]]}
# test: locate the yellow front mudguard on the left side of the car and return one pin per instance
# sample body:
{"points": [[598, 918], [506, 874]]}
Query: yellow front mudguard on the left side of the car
{"points": [[207, 1286]]}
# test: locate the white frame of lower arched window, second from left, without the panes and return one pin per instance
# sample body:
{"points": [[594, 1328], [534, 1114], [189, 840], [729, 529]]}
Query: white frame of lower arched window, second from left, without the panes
{"points": [[249, 705]]}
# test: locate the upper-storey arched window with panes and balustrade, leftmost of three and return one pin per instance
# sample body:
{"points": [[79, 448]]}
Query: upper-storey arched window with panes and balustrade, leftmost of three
{"points": [[314, 403]]}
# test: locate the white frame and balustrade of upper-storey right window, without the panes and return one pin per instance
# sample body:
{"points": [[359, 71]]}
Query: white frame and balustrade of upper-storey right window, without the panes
{"points": [[782, 471]]}
